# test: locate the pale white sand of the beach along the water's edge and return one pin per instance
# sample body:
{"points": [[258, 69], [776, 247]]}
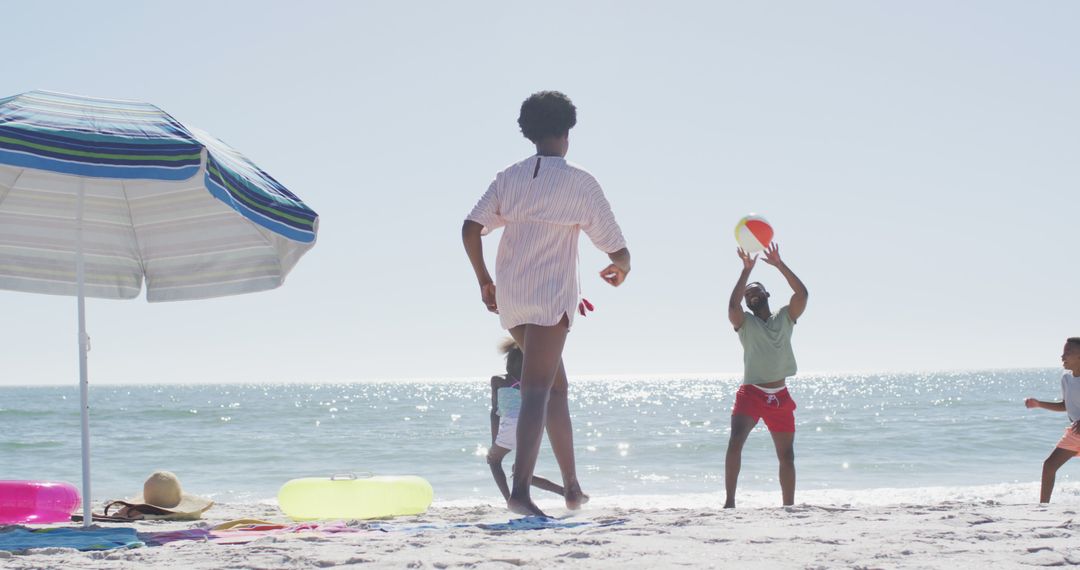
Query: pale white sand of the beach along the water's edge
{"points": [[934, 536]]}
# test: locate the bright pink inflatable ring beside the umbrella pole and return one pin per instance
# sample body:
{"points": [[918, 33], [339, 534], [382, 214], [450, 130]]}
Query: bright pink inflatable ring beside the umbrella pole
{"points": [[37, 503]]}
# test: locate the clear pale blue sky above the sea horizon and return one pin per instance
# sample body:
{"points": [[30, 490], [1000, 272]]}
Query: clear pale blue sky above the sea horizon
{"points": [[919, 160]]}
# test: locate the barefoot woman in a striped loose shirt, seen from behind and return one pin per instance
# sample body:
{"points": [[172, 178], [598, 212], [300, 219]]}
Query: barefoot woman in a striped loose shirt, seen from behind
{"points": [[543, 202]]}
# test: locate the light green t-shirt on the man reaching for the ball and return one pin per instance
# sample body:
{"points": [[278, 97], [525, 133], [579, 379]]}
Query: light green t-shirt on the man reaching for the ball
{"points": [[767, 348]]}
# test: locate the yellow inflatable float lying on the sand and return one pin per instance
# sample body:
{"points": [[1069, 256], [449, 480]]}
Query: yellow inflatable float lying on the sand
{"points": [[352, 496]]}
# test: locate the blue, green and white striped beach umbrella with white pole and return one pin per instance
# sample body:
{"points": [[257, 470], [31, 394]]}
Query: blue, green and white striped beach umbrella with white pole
{"points": [[100, 196]]}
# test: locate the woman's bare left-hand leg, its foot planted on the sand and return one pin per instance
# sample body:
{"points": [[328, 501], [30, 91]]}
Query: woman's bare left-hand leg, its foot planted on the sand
{"points": [[543, 347]]}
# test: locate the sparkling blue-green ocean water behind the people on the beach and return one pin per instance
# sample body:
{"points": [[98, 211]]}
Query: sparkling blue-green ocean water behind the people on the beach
{"points": [[870, 439]]}
